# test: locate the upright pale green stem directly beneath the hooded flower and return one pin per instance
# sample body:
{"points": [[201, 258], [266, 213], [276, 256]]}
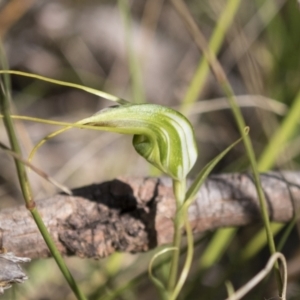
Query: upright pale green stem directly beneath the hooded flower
{"points": [[179, 188]]}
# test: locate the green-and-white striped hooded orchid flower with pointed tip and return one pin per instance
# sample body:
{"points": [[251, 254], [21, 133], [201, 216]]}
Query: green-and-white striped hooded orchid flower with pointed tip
{"points": [[163, 136]]}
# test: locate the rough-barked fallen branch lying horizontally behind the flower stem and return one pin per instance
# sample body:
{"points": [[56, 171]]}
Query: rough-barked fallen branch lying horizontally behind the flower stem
{"points": [[135, 214]]}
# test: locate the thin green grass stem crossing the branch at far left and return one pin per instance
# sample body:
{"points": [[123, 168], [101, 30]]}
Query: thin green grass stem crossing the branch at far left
{"points": [[27, 193]]}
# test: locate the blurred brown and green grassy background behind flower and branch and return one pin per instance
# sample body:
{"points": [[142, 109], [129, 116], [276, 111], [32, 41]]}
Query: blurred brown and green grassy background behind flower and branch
{"points": [[141, 51]]}
